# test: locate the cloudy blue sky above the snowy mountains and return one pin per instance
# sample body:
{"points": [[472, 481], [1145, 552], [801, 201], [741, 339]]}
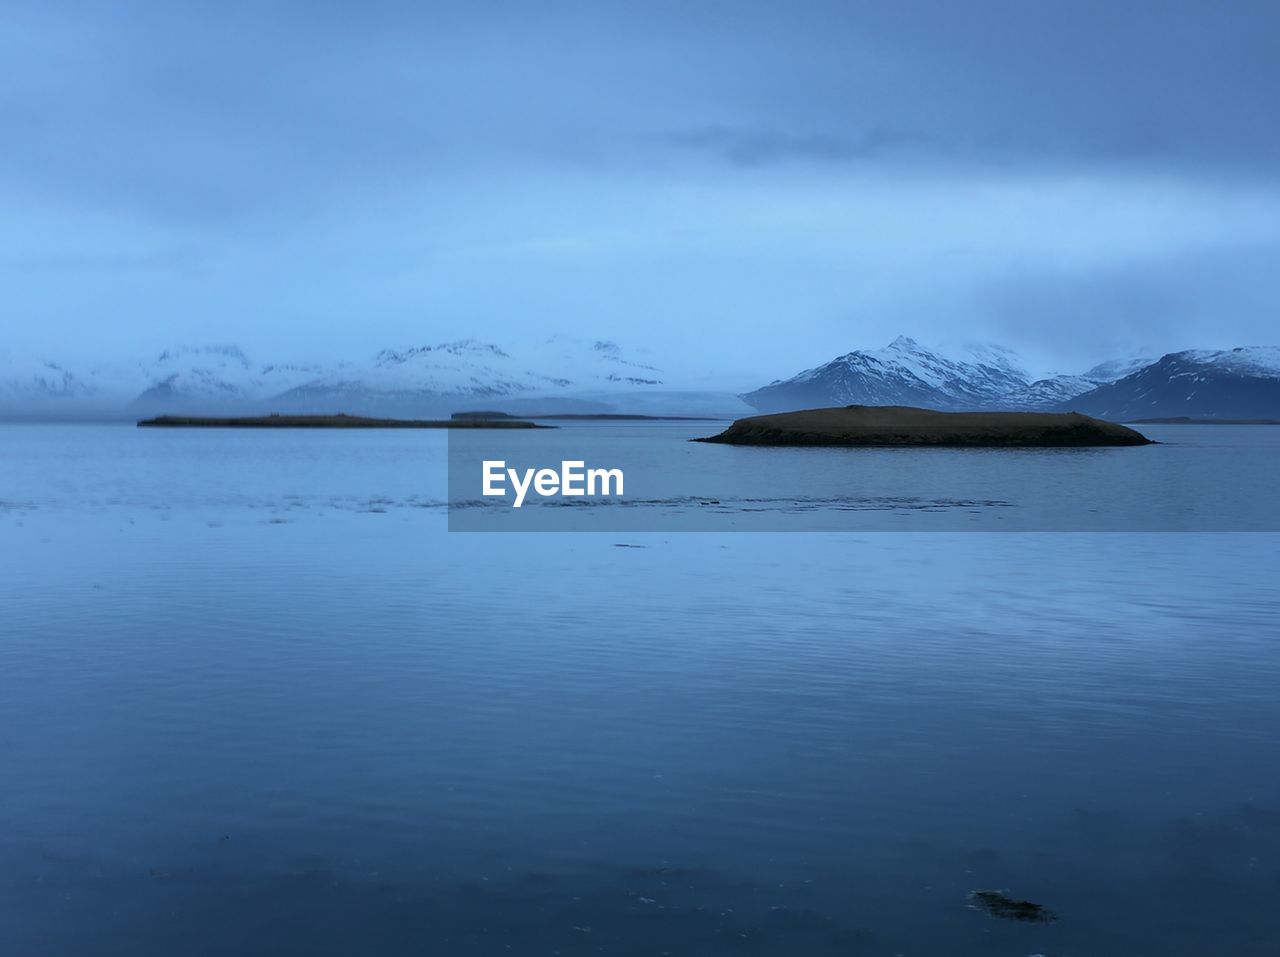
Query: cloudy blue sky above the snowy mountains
{"points": [[734, 190]]}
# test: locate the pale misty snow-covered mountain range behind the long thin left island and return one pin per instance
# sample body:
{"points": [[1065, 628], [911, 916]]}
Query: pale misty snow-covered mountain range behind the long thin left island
{"points": [[556, 376]]}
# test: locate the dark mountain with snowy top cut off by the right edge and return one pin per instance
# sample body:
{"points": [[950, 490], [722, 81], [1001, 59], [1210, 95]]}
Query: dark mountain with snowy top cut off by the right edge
{"points": [[1242, 383]]}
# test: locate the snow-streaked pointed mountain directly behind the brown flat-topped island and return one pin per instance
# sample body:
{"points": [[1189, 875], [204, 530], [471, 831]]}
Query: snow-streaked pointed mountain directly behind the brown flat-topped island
{"points": [[904, 373]]}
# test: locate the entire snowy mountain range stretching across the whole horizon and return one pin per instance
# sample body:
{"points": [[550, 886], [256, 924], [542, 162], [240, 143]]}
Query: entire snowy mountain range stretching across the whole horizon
{"points": [[574, 376]]}
